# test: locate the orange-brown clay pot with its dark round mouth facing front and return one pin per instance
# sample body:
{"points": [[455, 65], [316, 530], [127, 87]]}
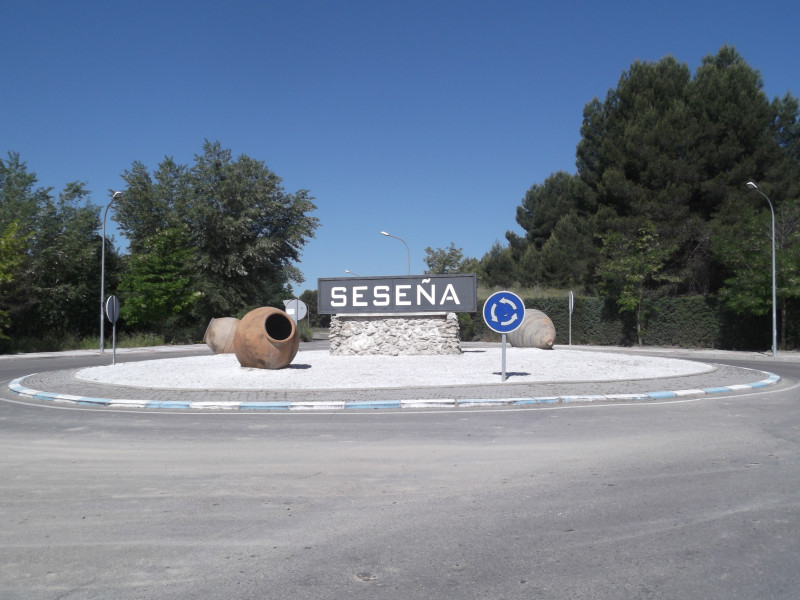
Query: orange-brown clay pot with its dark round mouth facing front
{"points": [[266, 338]]}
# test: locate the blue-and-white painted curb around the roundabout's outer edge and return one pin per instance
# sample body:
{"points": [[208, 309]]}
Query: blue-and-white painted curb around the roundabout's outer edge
{"points": [[17, 387]]}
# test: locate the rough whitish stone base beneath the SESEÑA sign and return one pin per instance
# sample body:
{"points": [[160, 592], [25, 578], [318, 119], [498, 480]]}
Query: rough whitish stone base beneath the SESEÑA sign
{"points": [[395, 334]]}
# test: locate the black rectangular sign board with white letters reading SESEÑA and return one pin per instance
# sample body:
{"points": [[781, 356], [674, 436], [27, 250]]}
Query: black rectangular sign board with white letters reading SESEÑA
{"points": [[405, 294]]}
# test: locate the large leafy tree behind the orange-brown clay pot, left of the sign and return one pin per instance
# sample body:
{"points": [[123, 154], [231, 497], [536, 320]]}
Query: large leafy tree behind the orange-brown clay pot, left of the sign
{"points": [[244, 231]]}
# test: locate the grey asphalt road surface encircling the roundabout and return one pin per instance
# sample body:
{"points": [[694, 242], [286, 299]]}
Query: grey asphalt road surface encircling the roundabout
{"points": [[683, 499]]}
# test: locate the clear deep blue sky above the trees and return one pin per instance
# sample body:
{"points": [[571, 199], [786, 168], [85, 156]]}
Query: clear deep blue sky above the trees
{"points": [[427, 119]]}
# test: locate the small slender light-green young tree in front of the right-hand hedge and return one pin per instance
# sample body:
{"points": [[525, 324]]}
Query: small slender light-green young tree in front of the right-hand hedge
{"points": [[633, 267]]}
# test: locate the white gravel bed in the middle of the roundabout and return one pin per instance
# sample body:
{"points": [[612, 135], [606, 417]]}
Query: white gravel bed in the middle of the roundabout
{"points": [[317, 369]]}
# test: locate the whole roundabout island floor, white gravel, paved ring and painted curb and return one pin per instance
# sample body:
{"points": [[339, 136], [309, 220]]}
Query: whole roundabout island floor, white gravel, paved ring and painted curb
{"points": [[318, 381]]}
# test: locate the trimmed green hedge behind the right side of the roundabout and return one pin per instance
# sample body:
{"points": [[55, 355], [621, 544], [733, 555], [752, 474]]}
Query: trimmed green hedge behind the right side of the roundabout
{"points": [[688, 322]]}
